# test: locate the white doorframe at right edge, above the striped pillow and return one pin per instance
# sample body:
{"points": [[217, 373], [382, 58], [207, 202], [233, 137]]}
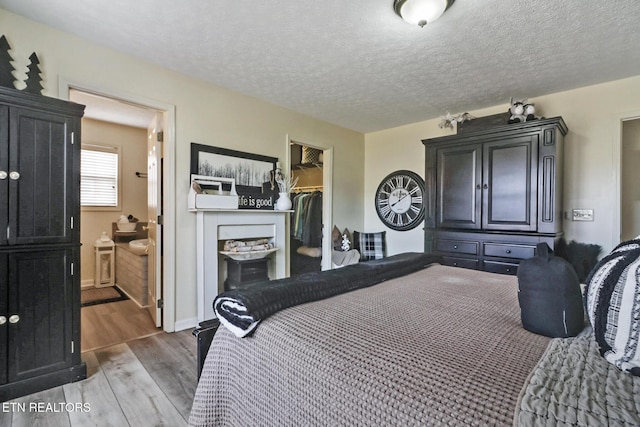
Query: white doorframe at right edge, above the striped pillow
{"points": [[618, 122]]}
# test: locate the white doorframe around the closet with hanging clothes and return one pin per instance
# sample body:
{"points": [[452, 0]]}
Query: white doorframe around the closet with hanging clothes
{"points": [[327, 192]]}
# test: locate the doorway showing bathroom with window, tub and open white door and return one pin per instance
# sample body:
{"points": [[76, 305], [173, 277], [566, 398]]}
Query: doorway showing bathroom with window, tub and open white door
{"points": [[133, 132]]}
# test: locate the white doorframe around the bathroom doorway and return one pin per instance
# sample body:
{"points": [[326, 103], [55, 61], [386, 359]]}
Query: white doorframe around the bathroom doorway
{"points": [[168, 176]]}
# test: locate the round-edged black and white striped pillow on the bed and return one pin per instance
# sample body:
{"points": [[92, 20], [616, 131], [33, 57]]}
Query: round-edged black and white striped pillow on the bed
{"points": [[613, 305]]}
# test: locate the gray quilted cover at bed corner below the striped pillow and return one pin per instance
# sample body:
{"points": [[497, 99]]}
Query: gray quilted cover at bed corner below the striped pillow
{"points": [[573, 385]]}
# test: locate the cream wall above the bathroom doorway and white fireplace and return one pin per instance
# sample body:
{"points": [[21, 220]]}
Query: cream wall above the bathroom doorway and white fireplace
{"points": [[205, 113]]}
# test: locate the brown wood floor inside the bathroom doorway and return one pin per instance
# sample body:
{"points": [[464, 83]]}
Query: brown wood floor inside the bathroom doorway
{"points": [[116, 322]]}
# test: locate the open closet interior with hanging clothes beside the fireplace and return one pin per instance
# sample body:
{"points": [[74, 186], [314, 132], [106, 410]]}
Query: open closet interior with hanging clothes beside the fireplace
{"points": [[306, 224]]}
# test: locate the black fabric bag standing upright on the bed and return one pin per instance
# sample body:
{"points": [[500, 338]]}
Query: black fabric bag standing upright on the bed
{"points": [[549, 295]]}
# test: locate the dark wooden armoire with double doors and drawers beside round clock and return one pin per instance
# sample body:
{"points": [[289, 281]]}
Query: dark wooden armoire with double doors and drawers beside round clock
{"points": [[494, 194]]}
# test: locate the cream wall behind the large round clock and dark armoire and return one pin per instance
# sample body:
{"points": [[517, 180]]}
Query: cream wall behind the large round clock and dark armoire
{"points": [[592, 115]]}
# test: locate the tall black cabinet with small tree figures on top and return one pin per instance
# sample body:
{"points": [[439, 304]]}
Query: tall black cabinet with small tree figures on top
{"points": [[39, 243]]}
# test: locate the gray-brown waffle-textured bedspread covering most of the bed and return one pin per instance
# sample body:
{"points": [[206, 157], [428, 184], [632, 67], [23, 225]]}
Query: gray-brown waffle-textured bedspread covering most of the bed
{"points": [[442, 346]]}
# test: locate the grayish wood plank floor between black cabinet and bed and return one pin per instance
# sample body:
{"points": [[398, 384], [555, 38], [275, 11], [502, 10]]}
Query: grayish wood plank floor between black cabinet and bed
{"points": [[144, 382]]}
